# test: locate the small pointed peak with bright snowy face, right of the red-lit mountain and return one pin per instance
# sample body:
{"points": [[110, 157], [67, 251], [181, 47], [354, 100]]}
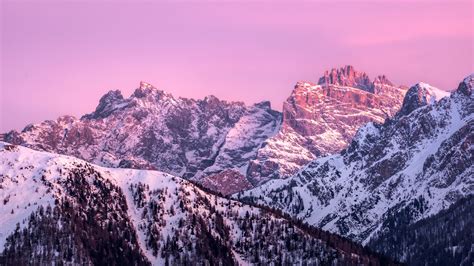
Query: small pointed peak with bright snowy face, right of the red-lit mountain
{"points": [[420, 95]]}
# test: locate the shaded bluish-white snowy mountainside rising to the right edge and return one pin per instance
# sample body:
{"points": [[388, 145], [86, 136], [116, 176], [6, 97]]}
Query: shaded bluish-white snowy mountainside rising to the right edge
{"points": [[412, 166]]}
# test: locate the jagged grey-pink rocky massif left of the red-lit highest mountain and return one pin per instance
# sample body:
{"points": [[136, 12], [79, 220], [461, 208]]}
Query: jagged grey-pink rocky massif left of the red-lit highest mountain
{"points": [[154, 130]]}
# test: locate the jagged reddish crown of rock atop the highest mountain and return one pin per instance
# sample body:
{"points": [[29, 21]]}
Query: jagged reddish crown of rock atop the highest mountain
{"points": [[346, 76]]}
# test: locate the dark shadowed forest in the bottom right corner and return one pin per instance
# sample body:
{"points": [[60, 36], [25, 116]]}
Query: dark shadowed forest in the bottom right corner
{"points": [[446, 238]]}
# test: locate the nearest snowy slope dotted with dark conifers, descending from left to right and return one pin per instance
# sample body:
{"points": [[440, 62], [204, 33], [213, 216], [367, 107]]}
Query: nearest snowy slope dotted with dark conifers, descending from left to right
{"points": [[60, 209]]}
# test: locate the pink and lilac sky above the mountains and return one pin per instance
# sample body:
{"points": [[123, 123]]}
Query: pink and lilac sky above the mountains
{"points": [[61, 57]]}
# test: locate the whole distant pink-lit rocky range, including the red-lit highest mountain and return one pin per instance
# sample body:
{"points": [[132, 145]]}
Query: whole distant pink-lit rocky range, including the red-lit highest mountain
{"points": [[226, 146]]}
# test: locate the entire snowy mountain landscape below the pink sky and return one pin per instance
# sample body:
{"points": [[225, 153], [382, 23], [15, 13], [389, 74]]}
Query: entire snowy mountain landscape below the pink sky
{"points": [[353, 171]]}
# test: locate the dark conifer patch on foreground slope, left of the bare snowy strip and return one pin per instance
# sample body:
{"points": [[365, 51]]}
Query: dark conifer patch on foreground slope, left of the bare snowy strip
{"points": [[87, 225]]}
